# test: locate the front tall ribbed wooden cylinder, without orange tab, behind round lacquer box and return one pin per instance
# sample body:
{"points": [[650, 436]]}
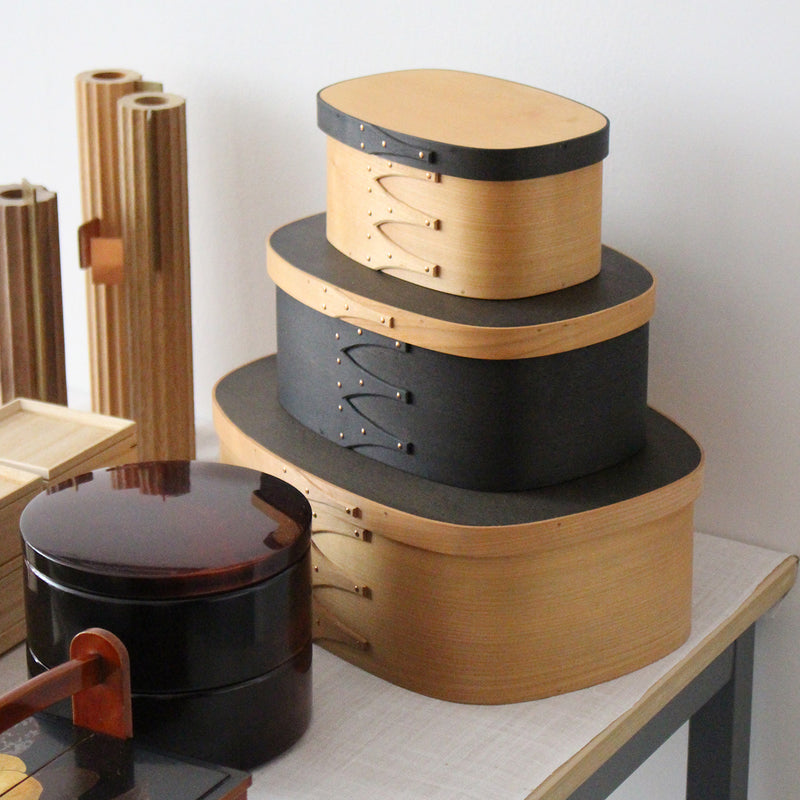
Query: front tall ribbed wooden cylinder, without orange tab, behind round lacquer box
{"points": [[155, 239]]}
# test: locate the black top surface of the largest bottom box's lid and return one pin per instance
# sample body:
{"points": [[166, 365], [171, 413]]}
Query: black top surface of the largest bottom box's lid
{"points": [[249, 398]]}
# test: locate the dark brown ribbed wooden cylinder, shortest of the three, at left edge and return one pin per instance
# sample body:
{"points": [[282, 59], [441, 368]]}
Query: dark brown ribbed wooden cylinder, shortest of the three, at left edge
{"points": [[31, 318]]}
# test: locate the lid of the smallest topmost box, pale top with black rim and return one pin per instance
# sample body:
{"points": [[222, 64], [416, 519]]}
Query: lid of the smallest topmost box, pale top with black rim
{"points": [[462, 124]]}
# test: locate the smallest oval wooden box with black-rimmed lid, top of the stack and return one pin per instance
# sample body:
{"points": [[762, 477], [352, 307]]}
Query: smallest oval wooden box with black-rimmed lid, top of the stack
{"points": [[463, 183]]}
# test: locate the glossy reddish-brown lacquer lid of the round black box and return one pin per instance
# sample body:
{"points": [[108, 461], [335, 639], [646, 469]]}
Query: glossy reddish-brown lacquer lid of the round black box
{"points": [[166, 529]]}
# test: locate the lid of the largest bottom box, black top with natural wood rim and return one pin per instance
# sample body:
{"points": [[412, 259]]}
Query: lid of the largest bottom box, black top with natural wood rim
{"points": [[664, 476]]}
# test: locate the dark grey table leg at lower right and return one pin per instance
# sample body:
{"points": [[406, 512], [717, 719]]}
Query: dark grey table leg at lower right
{"points": [[719, 733]]}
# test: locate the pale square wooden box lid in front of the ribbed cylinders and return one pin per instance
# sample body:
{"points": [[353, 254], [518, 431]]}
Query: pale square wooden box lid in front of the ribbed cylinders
{"points": [[51, 440]]}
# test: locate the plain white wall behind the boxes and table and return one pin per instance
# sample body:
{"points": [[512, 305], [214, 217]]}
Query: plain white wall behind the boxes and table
{"points": [[702, 185]]}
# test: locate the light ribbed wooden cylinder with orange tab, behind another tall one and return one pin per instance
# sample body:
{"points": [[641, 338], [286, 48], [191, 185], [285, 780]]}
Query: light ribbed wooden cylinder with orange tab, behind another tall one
{"points": [[97, 93]]}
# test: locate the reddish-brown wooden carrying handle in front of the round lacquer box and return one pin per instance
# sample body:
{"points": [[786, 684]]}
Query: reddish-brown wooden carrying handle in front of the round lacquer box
{"points": [[97, 677]]}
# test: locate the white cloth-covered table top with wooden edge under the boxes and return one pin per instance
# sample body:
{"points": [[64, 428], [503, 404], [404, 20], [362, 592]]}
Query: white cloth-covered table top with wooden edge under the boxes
{"points": [[369, 738]]}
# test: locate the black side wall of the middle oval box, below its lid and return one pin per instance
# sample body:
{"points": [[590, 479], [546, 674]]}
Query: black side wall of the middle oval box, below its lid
{"points": [[484, 424]]}
